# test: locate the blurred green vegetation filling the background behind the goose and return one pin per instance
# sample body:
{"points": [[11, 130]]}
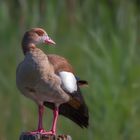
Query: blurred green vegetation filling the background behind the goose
{"points": [[101, 39]]}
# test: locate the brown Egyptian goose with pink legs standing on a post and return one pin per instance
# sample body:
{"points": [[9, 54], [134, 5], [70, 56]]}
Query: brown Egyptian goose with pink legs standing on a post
{"points": [[49, 80]]}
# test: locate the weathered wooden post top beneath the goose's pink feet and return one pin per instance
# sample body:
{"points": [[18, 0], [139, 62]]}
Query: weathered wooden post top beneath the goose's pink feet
{"points": [[25, 136]]}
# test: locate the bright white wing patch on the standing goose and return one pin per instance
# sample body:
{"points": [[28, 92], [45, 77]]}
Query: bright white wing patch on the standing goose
{"points": [[69, 82]]}
